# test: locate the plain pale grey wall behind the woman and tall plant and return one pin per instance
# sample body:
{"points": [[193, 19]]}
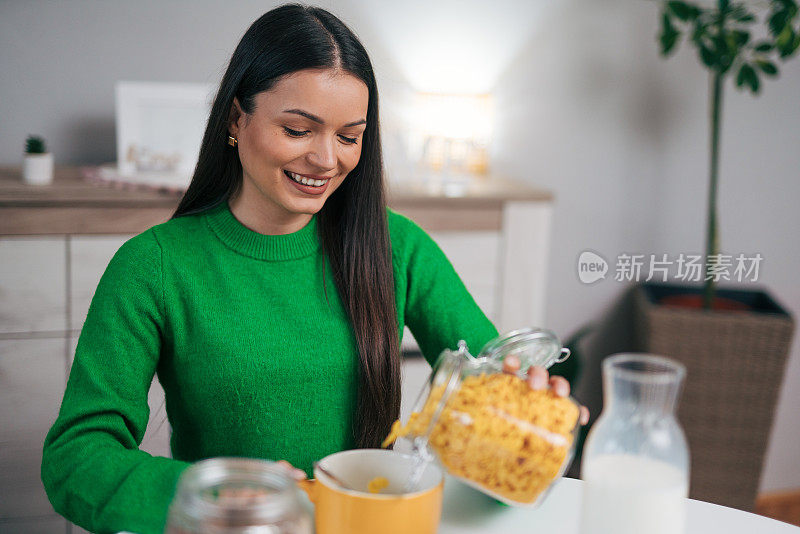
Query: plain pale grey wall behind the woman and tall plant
{"points": [[586, 107]]}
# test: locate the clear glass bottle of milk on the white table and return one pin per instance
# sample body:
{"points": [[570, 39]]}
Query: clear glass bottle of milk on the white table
{"points": [[636, 460]]}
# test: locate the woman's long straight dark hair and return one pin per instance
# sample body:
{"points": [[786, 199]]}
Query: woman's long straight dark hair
{"points": [[352, 224]]}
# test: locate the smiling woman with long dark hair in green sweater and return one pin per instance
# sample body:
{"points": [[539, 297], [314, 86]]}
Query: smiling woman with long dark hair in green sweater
{"points": [[271, 304]]}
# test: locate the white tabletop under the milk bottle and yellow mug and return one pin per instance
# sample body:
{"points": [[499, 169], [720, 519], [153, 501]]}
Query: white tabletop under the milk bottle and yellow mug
{"points": [[467, 511]]}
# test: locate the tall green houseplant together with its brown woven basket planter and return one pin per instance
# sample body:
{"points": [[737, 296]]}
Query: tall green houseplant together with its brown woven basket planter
{"points": [[735, 359]]}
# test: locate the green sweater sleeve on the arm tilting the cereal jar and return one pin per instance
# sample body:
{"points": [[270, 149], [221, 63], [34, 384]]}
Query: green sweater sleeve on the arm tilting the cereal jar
{"points": [[439, 309]]}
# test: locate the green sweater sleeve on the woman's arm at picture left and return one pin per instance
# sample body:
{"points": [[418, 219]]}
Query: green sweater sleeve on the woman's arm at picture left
{"points": [[92, 469]]}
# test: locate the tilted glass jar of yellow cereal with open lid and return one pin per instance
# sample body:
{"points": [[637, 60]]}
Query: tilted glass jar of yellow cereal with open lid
{"points": [[489, 428]]}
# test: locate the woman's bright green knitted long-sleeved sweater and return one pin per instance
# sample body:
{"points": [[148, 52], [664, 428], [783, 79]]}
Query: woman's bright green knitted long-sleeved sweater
{"points": [[253, 360]]}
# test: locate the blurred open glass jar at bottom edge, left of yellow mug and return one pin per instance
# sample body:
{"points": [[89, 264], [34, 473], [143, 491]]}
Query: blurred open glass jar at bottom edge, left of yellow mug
{"points": [[237, 496]]}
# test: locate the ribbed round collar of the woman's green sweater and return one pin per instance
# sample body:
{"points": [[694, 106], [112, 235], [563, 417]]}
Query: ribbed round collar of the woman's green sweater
{"points": [[260, 246]]}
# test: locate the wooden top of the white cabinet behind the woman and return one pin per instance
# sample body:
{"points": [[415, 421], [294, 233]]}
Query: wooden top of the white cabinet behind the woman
{"points": [[74, 205]]}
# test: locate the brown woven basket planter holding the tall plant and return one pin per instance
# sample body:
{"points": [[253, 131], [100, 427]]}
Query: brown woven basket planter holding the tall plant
{"points": [[735, 362]]}
